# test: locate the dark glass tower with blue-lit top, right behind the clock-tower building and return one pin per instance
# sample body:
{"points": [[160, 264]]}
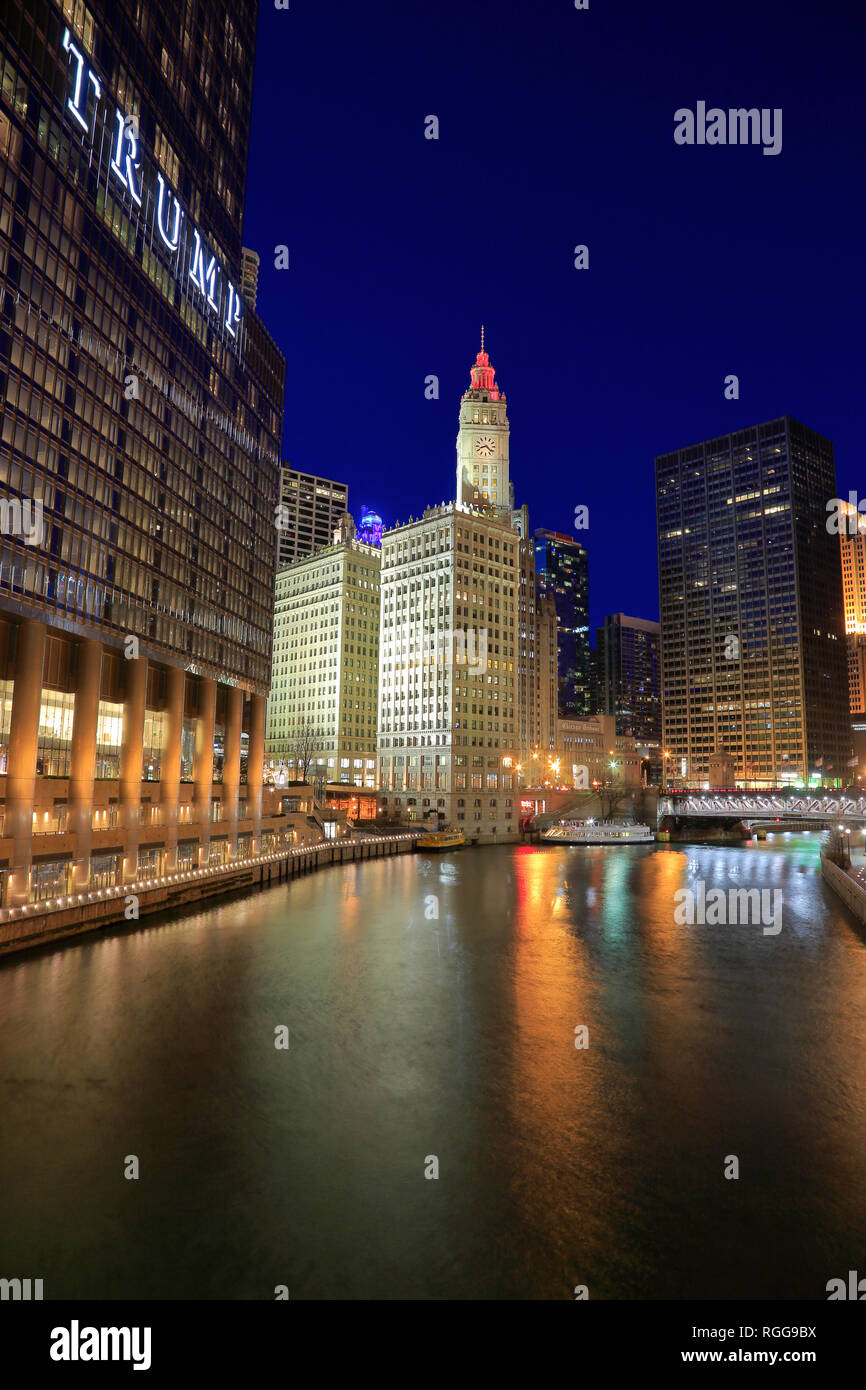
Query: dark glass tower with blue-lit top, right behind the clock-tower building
{"points": [[562, 566]]}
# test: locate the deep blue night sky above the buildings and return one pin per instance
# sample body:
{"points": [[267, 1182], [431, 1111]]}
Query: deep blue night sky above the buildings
{"points": [[557, 129]]}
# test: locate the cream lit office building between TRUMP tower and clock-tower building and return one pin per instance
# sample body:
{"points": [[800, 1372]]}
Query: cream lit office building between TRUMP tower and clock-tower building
{"points": [[322, 718]]}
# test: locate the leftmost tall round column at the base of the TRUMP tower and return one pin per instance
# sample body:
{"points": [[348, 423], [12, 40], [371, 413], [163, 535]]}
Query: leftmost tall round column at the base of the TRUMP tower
{"points": [[22, 762]]}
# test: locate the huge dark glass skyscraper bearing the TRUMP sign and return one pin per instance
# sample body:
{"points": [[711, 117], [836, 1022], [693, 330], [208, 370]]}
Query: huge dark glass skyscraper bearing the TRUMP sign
{"points": [[142, 412]]}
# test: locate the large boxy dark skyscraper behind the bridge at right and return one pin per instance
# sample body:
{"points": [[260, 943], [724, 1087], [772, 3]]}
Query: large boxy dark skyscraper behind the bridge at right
{"points": [[751, 608]]}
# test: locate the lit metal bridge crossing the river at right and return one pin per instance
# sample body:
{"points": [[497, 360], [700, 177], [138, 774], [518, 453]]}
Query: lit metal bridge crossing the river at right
{"points": [[760, 808]]}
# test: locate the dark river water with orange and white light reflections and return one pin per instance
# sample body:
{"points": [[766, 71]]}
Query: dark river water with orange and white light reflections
{"points": [[415, 1036]]}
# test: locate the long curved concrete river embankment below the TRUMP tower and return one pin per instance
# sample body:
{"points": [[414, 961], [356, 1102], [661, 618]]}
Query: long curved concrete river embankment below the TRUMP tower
{"points": [[79, 914]]}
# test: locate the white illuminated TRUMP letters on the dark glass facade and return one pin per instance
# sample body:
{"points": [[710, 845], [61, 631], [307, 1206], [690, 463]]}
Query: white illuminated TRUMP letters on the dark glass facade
{"points": [[176, 234]]}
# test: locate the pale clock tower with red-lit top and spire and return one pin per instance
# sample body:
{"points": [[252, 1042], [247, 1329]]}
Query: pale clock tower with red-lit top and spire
{"points": [[483, 441]]}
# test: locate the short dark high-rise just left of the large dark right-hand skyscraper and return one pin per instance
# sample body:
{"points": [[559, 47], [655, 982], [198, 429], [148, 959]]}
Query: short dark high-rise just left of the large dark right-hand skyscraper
{"points": [[628, 675]]}
